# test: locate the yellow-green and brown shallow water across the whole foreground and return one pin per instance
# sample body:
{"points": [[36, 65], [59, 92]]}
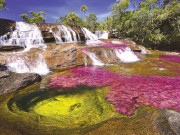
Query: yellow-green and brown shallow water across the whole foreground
{"points": [[86, 112]]}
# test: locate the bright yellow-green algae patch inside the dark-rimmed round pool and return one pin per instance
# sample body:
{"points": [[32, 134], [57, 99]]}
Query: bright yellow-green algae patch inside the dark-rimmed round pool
{"points": [[81, 108]]}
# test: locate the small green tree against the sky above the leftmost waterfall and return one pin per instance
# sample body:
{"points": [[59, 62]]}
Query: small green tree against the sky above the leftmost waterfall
{"points": [[37, 18]]}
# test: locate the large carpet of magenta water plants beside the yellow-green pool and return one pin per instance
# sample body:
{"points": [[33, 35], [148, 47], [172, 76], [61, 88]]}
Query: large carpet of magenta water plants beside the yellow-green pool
{"points": [[126, 92]]}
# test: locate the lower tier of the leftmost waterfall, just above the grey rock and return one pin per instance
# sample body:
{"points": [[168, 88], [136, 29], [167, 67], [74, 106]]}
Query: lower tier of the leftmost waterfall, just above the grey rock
{"points": [[26, 63]]}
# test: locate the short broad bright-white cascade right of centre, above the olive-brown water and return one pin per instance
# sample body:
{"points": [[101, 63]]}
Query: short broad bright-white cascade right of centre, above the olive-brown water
{"points": [[126, 55]]}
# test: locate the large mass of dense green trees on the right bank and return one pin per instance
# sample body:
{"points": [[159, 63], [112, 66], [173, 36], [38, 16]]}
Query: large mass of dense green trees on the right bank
{"points": [[151, 23]]}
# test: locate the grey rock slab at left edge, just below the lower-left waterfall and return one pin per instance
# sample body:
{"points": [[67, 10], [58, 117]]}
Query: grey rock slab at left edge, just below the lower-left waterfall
{"points": [[10, 81]]}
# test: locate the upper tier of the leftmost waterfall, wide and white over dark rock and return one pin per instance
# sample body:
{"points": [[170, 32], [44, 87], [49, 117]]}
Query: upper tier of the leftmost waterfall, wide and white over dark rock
{"points": [[25, 34]]}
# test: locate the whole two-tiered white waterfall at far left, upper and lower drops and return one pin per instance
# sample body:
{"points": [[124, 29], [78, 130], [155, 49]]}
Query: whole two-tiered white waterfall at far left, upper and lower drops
{"points": [[29, 36]]}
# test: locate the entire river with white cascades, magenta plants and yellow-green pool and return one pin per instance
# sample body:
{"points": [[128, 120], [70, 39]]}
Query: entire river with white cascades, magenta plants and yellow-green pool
{"points": [[120, 92]]}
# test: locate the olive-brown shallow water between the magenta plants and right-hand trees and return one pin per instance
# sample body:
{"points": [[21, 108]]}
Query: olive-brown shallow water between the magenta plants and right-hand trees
{"points": [[151, 65]]}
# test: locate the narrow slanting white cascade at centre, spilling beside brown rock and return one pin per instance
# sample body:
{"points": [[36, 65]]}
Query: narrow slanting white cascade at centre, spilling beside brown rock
{"points": [[95, 60]]}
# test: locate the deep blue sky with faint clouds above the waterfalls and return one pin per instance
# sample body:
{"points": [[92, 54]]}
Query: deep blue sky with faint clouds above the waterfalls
{"points": [[56, 8]]}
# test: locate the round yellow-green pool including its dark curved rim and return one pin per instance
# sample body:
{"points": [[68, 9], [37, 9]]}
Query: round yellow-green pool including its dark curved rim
{"points": [[36, 111]]}
